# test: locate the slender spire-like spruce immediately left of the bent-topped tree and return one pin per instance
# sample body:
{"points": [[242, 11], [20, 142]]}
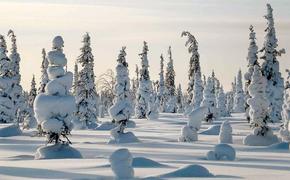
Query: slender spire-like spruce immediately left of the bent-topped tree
{"points": [[170, 85]]}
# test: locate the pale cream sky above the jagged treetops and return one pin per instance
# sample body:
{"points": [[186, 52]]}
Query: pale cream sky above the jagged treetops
{"points": [[220, 26]]}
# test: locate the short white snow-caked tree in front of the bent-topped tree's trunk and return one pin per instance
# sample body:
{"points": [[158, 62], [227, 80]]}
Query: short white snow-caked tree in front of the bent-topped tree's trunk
{"points": [[197, 91]]}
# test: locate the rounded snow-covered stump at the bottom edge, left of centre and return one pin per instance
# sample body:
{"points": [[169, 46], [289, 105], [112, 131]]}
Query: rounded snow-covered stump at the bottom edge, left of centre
{"points": [[121, 164]]}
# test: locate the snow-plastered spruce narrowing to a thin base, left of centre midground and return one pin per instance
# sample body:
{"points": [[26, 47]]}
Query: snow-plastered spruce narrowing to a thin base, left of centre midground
{"points": [[121, 110]]}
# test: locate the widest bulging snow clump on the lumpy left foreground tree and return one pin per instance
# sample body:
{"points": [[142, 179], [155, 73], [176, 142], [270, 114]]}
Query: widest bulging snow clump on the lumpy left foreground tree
{"points": [[48, 106]]}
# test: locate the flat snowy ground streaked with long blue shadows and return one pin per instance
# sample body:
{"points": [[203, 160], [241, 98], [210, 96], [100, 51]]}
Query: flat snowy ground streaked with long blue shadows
{"points": [[158, 142]]}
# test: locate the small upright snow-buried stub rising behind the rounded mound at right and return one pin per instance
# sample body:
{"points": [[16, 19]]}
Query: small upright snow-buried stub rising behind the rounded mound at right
{"points": [[225, 135]]}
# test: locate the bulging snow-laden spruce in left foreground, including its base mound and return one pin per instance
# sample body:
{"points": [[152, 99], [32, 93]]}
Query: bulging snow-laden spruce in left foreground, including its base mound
{"points": [[54, 108]]}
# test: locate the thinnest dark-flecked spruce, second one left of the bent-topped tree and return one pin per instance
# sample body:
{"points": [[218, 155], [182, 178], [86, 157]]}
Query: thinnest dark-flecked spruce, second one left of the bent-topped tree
{"points": [[161, 88]]}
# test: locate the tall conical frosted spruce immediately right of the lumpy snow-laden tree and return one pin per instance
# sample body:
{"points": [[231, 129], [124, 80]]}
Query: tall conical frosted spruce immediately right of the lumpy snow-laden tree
{"points": [[87, 97]]}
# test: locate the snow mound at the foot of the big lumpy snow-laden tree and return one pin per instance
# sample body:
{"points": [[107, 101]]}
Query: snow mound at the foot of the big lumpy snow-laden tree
{"points": [[57, 151]]}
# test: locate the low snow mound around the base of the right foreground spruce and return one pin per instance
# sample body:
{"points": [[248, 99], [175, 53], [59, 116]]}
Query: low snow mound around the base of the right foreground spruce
{"points": [[258, 140]]}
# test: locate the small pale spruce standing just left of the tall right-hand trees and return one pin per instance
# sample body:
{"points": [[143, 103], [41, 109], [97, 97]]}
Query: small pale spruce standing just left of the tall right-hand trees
{"points": [[239, 96]]}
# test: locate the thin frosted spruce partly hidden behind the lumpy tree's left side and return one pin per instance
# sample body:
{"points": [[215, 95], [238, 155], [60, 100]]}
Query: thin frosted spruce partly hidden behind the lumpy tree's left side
{"points": [[44, 76]]}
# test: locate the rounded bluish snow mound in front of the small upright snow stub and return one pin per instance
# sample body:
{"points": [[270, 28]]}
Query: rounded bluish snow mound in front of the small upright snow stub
{"points": [[222, 152]]}
